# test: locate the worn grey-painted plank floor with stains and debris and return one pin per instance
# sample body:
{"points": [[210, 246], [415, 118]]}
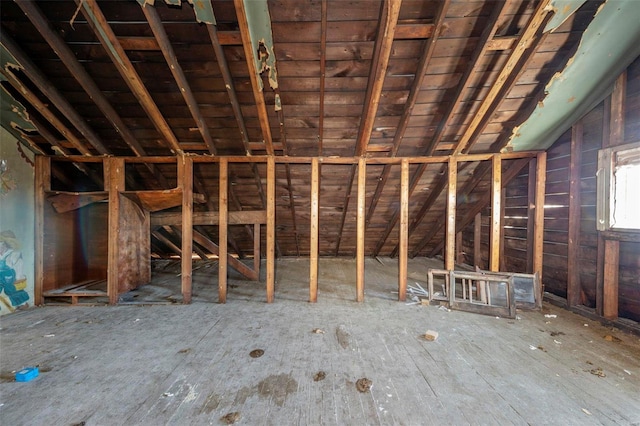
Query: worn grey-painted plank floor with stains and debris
{"points": [[191, 364]]}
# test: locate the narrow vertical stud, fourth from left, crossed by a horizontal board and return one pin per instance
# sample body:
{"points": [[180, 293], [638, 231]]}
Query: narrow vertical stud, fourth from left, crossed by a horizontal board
{"points": [[223, 222]]}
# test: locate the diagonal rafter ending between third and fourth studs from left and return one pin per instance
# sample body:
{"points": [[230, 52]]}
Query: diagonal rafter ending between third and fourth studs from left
{"points": [[178, 74]]}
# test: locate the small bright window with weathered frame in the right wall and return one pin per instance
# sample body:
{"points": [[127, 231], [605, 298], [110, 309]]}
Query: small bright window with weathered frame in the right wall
{"points": [[618, 202]]}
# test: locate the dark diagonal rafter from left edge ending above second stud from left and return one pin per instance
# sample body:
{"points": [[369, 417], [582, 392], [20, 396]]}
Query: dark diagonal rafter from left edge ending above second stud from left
{"points": [[49, 90]]}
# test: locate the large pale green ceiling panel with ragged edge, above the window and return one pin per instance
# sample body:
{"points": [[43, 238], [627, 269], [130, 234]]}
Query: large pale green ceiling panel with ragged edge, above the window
{"points": [[608, 46]]}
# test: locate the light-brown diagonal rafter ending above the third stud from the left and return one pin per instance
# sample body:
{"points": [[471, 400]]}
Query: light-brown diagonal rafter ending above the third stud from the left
{"points": [[109, 41]]}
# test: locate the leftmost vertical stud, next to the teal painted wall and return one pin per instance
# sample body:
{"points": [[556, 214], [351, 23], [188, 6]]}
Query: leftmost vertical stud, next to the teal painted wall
{"points": [[42, 184]]}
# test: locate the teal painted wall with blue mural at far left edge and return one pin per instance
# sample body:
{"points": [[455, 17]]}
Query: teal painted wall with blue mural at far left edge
{"points": [[17, 219]]}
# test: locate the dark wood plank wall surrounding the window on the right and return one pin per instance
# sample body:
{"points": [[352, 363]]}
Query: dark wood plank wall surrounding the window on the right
{"points": [[587, 264]]}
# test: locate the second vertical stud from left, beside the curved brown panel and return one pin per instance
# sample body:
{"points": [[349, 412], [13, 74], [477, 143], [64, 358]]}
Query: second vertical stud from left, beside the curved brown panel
{"points": [[114, 171]]}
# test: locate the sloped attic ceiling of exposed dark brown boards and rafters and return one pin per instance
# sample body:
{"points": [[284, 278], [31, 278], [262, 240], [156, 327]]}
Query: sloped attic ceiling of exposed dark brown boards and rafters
{"points": [[287, 78]]}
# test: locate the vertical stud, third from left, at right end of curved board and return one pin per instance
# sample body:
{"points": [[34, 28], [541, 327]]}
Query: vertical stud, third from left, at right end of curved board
{"points": [[185, 179]]}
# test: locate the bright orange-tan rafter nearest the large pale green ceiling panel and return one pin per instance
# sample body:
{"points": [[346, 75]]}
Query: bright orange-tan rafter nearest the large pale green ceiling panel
{"points": [[525, 40]]}
